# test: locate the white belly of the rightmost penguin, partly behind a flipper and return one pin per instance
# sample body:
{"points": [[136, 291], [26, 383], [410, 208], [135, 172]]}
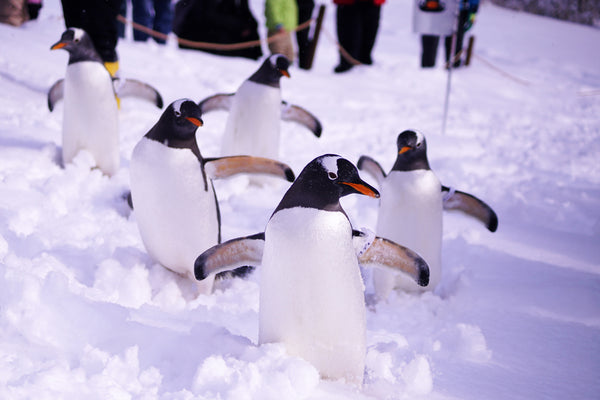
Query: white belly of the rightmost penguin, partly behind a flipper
{"points": [[410, 214]]}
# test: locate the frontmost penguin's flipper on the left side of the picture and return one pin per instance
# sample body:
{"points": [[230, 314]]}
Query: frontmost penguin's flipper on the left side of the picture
{"points": [[230, 255]]}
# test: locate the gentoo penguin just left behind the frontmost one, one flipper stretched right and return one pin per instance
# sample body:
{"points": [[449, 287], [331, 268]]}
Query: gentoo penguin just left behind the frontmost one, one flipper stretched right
{"points": [[172, 193]]}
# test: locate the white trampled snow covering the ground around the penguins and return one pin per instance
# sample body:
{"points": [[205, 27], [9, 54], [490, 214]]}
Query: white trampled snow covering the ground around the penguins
{"points": [[85, 312]]}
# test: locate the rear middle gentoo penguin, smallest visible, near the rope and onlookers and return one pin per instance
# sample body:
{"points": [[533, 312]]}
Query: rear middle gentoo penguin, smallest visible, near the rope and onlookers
{"points": [[255, 111]]}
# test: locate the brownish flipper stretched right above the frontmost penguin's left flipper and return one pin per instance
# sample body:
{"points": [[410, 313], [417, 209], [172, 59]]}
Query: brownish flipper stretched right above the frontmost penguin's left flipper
{"points": [[224, 167]]}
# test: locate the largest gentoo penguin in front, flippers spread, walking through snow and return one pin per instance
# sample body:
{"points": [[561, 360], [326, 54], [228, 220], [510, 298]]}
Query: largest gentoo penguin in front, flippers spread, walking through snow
{"points": [[311, 290]]}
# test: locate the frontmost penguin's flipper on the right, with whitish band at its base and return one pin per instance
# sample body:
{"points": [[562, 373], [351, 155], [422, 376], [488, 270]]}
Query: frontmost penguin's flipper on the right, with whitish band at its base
{"points": [[375, 251]]}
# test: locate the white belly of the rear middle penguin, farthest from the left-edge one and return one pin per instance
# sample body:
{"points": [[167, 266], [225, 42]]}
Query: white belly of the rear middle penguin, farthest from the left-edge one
{"points": [[253, 123]]}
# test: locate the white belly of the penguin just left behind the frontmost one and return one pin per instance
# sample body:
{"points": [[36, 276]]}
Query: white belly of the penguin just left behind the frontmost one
{"points": [[176, 216]]}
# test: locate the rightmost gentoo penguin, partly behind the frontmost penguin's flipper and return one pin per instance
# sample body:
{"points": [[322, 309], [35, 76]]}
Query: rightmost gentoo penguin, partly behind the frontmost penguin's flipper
{"points": [[411, 208]]}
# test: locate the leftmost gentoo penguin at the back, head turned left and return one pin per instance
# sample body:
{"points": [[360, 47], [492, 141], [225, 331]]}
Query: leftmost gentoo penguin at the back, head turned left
{"points": [[90, 119]]}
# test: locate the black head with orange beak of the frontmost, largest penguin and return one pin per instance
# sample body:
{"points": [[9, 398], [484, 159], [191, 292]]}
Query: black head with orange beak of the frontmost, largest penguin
{"points": [[323, 182]]}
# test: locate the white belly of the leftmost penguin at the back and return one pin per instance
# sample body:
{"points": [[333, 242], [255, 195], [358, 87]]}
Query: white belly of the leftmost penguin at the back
{"points": [[90, 117]]}
